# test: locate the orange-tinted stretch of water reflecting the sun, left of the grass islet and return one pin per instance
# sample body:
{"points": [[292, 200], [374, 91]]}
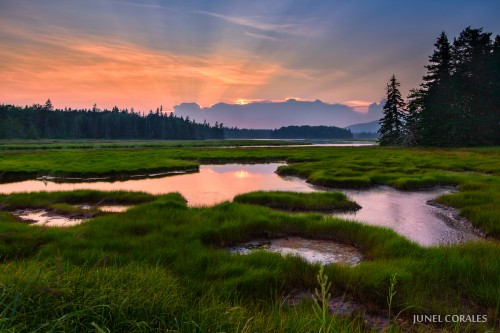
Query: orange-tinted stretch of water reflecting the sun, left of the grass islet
{"points": [[212, 185]]}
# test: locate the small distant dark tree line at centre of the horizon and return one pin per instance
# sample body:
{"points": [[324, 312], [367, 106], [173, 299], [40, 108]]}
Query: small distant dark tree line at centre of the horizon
{"points": [[290, 132]]}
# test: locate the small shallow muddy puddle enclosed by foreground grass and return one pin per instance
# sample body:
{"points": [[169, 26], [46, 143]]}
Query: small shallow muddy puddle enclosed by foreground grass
{"points": [[314, 251]]}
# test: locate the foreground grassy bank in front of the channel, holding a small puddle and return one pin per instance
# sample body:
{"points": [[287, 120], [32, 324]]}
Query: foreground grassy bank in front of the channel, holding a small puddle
{"points": [[163, 266]]}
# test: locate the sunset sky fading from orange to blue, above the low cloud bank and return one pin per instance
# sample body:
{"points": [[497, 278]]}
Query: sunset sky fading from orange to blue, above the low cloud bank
{"points": [[144, 54]]}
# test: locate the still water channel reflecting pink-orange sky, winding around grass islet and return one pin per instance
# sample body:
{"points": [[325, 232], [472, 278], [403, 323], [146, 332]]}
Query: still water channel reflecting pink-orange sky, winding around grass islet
{"points": [[408, 213]]}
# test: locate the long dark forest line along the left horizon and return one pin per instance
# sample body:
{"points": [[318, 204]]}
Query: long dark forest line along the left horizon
{"points": [[43, 121]]}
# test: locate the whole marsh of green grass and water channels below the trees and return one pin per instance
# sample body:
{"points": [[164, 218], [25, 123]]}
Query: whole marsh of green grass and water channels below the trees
{"points": [[171, 248]]}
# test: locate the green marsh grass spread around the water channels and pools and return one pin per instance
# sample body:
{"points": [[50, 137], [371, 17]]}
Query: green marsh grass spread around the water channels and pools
{"points": [[163, 266]]}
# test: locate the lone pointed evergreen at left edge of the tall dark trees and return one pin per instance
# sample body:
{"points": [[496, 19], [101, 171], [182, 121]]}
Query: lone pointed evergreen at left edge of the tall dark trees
{"points": [[392, 124]]}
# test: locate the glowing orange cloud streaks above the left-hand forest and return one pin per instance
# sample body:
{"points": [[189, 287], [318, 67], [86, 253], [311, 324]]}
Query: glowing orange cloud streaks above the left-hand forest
{"points": [[77, 71]]}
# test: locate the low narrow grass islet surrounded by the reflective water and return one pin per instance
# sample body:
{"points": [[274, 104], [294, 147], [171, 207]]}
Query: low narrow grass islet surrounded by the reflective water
{"points": [[295, 201]]}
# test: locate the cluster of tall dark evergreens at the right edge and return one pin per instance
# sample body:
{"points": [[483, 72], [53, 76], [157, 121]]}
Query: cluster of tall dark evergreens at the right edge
{"points": [[458, 103]]}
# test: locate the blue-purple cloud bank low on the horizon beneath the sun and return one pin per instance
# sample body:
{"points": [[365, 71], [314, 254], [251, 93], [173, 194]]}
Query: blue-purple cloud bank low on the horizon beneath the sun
{"points": [[271, 115]]}
